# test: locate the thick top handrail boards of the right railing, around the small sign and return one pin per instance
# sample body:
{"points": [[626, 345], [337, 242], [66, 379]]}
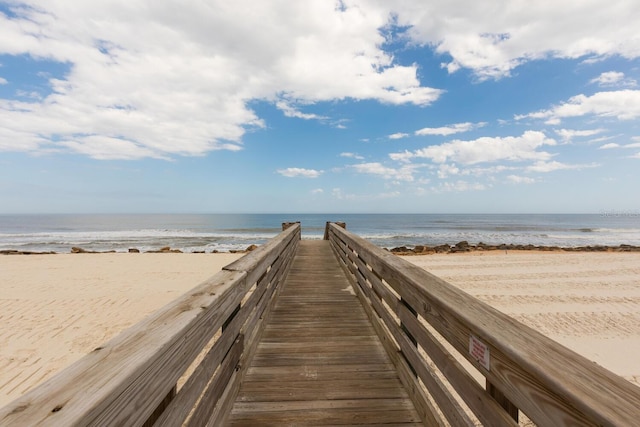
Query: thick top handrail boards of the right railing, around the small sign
{"points": [[548, 382]]}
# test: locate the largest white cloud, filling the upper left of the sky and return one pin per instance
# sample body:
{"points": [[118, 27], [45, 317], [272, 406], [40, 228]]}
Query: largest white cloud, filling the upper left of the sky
{"points": [[177, 77]]}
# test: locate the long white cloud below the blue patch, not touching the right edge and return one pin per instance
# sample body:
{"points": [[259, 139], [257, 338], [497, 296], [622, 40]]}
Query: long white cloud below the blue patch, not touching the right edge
{"points": [[485, 149]]}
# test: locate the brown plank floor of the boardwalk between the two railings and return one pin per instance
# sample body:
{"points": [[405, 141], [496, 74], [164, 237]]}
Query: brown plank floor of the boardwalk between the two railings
{"points": [[320, 361]]}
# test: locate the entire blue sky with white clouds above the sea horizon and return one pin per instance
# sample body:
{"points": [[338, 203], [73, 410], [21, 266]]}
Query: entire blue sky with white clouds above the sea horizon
{"points": [[319, 106]]}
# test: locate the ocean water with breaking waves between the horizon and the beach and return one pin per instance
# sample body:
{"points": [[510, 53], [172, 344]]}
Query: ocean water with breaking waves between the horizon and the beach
{"points": [[224, 232]]}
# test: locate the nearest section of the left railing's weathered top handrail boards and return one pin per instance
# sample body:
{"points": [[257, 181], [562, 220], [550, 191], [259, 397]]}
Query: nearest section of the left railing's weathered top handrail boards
{"points": [[124, 380]]}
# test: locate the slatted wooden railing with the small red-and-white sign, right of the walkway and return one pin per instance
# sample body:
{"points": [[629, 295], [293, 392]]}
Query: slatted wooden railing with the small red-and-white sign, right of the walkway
{"points": [[430, 328]]}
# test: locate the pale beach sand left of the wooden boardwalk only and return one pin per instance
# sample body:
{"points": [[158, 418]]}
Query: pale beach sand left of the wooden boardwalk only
{"points": [[54, 309]]}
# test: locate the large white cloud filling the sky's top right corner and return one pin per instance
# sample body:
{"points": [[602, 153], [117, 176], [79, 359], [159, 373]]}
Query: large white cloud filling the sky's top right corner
{"points": [[492, 39]]}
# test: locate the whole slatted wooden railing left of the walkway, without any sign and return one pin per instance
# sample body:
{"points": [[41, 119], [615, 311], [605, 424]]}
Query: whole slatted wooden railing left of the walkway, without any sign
{"points": [[132, 379]]}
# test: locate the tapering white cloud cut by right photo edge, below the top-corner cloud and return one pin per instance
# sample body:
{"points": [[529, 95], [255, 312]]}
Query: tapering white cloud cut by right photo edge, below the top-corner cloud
{"points": [[623, 105]]}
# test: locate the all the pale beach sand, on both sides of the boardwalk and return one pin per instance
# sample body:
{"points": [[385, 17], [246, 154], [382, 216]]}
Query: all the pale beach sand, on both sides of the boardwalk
{"points": [[56, 308]]}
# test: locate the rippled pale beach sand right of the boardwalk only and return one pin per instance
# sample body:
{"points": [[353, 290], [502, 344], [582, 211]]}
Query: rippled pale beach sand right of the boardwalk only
{"points": [[588, 302]]}
